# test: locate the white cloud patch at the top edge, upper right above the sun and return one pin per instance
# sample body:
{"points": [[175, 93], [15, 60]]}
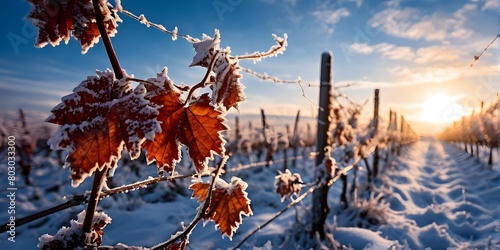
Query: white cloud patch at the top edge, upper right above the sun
{"points": [[409, 23]]}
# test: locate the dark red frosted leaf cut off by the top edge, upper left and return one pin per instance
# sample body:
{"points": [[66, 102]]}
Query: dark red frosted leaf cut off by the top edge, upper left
{"points": [[56, 19]]}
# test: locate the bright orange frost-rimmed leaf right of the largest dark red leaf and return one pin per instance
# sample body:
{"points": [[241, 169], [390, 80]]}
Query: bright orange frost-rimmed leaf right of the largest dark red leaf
{"points": [[197, 125]]}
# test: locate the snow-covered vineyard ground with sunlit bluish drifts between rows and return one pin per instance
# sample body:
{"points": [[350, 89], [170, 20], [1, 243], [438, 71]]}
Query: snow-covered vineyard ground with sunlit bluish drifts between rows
{"points": [[434, 195]]}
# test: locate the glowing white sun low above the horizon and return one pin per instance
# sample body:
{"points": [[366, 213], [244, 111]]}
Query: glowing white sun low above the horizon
{"points": [[441, 108]]}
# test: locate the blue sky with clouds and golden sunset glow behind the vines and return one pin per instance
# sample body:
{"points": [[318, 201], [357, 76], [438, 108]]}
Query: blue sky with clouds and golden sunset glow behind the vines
{"points": [[412, 50]]}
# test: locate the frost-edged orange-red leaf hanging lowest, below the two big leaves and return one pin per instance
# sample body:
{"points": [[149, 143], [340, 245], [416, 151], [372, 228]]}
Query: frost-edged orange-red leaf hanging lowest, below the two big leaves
{"points": [[228, 203]]}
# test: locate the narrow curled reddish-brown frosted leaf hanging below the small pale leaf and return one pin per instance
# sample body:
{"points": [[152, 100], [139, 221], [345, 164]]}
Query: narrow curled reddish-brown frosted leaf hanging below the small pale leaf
{"points": [[228, 89]]}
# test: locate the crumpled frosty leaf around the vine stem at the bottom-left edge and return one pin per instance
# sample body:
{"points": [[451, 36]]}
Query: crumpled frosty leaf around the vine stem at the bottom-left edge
{"points": [[72, 237]]}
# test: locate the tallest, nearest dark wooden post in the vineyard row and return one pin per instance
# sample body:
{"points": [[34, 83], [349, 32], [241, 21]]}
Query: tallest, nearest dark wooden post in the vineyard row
{"points": [[320, 196]]}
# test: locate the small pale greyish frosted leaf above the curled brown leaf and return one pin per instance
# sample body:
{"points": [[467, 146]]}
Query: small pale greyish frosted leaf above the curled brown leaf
{"points": [[205, 50]]}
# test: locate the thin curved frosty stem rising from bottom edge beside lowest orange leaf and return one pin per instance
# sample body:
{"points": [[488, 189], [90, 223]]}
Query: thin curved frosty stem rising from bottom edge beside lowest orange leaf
{"points": [[199, 216]]}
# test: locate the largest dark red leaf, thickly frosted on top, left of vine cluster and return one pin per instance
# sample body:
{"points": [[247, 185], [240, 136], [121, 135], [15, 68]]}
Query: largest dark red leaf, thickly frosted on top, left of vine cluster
{"points": [[100, 117]]}
